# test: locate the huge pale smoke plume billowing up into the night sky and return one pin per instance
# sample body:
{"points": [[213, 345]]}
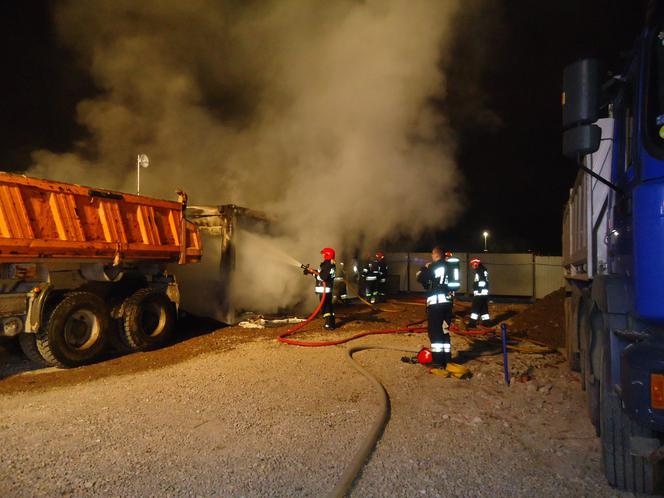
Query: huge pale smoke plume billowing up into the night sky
{"points": [[317, 112]]}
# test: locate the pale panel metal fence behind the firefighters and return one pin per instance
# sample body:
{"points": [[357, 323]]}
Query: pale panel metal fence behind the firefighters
{"points": [[510, 274]]}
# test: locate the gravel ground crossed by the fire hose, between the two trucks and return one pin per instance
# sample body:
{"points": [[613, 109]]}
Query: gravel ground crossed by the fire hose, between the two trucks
{"points": [[234, 413]]}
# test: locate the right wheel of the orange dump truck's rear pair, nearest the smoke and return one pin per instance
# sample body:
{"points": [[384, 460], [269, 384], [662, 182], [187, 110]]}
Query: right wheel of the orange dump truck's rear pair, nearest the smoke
{"points": [[148, 319]]}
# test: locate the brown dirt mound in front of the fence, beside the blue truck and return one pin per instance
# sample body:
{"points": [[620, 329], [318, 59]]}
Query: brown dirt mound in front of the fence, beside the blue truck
{"points": [[544, 321]]}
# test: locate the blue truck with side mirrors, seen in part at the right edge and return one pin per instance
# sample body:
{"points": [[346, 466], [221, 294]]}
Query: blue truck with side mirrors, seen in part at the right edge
{"points": [[613, 254]]}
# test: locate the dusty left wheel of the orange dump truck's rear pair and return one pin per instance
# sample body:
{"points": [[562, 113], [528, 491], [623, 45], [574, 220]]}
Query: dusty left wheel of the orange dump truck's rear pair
{"points": [[75, 331]]}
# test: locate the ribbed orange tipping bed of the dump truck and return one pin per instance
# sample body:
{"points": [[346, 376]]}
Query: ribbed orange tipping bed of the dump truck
{"points": [[45, 219]]}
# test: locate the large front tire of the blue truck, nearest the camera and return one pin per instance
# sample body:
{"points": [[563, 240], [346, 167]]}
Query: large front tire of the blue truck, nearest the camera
{"points": [[623, 470]]}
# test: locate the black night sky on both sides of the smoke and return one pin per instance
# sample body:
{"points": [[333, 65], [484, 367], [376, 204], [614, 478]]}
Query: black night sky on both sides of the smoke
{"points": [[516, 181]]}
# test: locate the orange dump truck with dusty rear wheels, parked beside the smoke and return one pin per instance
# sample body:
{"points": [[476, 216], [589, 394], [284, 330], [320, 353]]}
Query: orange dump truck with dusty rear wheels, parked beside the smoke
{"points": [[82, 268]]}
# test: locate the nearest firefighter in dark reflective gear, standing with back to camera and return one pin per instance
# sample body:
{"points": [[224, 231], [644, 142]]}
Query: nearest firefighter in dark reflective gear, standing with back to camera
{"points": [[434, 277]]}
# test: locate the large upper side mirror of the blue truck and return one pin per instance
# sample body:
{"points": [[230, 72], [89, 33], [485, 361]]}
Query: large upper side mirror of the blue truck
{"points": [[581, 92]]}
